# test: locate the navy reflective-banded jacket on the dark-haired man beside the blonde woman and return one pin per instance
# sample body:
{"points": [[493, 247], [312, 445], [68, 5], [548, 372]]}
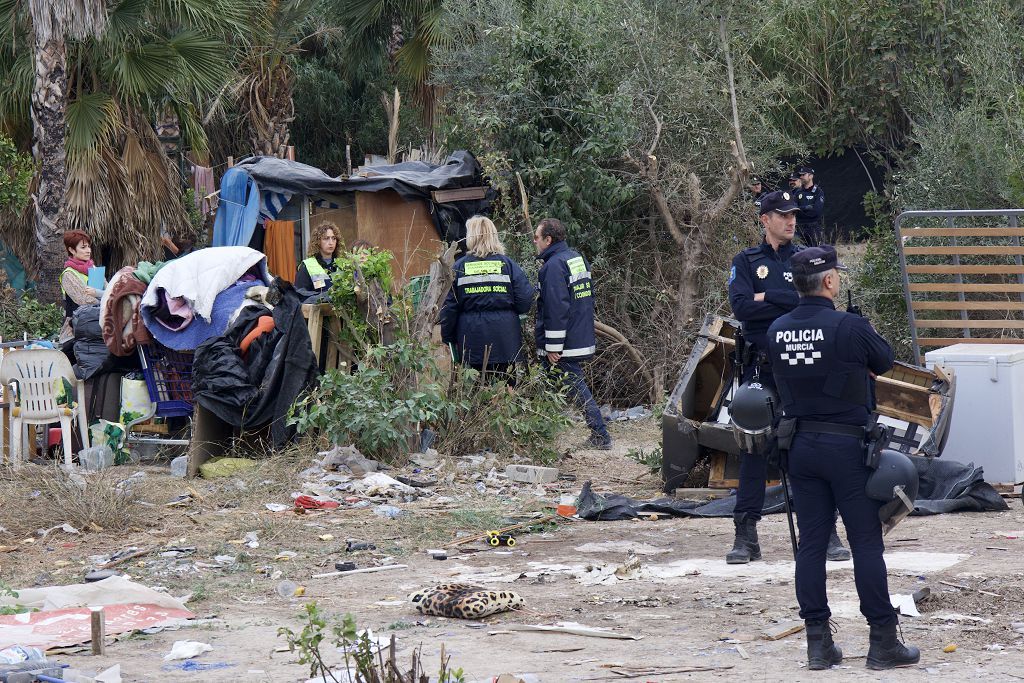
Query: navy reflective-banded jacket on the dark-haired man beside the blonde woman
{"points": [[566, 305]]}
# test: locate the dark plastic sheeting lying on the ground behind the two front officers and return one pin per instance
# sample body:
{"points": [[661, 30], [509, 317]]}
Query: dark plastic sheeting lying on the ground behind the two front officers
{"points": [[946, 487]]}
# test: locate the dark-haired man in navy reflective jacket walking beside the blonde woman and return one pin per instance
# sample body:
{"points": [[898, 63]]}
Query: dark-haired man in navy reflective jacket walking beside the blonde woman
{"points": [[565, 330]]}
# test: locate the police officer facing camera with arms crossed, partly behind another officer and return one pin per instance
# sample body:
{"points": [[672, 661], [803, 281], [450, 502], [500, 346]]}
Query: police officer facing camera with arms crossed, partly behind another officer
{"points": [[760, 291]]}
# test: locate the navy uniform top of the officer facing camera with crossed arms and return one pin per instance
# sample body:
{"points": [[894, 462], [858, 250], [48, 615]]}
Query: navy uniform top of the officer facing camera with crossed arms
{"points": [[759, 270]]}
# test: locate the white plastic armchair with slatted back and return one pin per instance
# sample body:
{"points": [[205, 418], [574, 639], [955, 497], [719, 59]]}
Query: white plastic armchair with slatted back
{"points": [[34, 401]]}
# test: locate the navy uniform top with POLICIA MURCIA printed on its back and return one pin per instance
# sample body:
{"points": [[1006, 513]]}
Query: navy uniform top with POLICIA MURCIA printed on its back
{"points": [[821, 359]]}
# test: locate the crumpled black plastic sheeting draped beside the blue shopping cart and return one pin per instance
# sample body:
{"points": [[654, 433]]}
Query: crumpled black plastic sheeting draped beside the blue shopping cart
{"points": [[259, 390]]}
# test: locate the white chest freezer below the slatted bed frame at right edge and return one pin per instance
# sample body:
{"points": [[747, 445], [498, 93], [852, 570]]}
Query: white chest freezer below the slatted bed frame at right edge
{"points": [[988, 426]]}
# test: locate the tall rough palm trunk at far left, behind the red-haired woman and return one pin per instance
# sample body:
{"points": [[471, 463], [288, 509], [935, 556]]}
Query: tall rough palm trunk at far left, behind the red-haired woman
{"points": [[50, 106]]}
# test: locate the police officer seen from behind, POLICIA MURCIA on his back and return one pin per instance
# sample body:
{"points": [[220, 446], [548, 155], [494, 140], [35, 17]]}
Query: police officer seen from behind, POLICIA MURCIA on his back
{"points": [[824, 361]]}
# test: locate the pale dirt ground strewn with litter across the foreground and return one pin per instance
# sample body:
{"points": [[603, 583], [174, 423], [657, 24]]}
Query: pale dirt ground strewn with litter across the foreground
{"points": [[687, 609]]}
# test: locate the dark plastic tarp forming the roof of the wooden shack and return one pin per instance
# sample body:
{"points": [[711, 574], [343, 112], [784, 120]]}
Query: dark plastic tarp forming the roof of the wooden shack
{"points": [[413, 181]]}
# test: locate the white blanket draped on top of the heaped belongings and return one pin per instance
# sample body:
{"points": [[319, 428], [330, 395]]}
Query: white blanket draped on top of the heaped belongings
{"points": [[201, 276]]}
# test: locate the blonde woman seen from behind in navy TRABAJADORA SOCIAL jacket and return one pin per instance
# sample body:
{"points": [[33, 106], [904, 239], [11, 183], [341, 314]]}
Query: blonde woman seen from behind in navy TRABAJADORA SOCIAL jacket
{"points": [[481, 316]]}
